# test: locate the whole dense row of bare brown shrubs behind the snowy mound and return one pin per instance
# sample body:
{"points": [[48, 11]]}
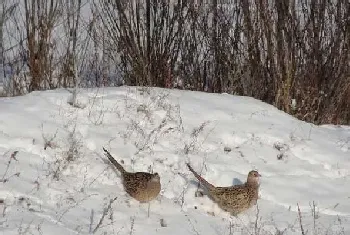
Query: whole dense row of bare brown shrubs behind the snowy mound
{"points": [[294, 54]]}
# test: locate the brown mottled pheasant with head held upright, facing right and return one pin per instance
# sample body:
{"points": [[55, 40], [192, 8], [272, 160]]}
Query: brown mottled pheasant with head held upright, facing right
{"points": [[234, 199]]}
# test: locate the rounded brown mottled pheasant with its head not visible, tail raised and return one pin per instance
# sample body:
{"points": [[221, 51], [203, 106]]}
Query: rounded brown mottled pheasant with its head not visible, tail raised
{"points": [[142, 186]]}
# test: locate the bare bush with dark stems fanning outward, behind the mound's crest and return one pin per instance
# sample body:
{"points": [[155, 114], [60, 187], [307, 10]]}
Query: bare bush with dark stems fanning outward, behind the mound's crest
{"points": [[147, 36]]}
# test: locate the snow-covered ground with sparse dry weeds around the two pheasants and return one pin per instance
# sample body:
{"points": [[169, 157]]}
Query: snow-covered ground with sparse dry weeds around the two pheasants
{"points": [[59, 181]]}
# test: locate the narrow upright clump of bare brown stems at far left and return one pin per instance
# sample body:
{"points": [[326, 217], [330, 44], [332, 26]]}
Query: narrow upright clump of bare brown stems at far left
{"points": [[40, 19]]}
